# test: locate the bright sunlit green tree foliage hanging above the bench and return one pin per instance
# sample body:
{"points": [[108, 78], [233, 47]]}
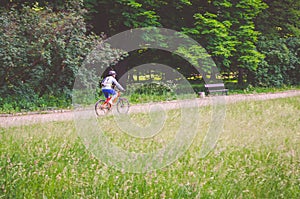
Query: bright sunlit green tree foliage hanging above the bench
{"points": [[226, 29]]}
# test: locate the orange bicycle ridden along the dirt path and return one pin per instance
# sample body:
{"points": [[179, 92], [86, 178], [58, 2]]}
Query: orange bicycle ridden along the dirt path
{"points": [[102, 106]]}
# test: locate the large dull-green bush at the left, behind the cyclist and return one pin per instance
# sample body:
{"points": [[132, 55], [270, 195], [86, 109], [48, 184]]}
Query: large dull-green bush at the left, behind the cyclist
{"points": [[41, 53]]}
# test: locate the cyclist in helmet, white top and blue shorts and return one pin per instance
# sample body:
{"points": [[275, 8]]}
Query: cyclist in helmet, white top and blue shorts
{"points": [[108, 84]]}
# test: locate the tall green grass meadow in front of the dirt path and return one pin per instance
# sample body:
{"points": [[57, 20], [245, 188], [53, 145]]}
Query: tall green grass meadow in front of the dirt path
{"points": [[257, 156]]}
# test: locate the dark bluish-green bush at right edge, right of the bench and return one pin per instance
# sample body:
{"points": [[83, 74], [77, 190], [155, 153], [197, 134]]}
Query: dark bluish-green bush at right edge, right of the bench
{"points": [[282, 64]]}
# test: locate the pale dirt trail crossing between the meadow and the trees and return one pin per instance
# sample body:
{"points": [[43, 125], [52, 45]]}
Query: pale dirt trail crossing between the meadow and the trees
{"points": [[31, 118]]}
